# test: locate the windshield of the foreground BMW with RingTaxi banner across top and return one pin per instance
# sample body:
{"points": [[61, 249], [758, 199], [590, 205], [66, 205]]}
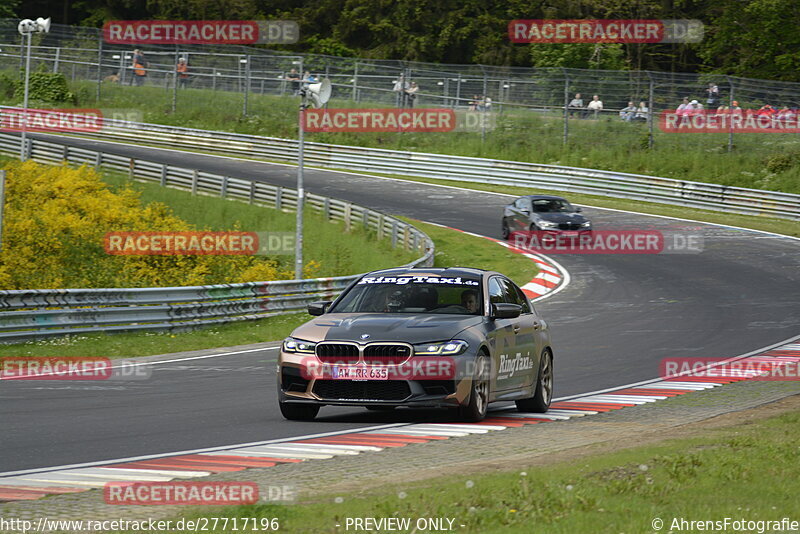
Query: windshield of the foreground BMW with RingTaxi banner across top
{"points": [[413, 294]]}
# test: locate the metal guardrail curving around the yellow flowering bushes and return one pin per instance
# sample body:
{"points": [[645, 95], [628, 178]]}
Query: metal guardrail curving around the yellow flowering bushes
{"points": [[31, 314]]}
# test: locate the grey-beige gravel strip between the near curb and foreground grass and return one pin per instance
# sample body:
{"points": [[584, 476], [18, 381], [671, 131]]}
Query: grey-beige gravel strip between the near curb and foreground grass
{"points": [[508, 449]]}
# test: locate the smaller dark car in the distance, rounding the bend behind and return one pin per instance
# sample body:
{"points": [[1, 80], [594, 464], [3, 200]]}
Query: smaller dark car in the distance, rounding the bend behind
{"points": [[543, 213]]}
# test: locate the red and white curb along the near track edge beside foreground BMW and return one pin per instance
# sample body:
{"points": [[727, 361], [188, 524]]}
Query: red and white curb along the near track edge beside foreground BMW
{"points": [[35, 484]]}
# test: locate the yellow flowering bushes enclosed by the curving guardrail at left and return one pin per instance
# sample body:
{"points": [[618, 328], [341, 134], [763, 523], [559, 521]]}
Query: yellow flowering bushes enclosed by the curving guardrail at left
{"points": [[56, 218]]}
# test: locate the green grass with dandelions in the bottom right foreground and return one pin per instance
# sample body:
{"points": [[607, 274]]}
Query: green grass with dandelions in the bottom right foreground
{"points": [[745, 471]]}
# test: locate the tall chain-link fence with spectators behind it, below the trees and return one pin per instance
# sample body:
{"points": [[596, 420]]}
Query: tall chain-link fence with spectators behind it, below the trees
{"points": [[539, 103]]}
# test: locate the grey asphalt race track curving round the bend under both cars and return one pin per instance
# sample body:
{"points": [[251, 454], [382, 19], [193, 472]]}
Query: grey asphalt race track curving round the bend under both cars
{"points": [[618, 318]]}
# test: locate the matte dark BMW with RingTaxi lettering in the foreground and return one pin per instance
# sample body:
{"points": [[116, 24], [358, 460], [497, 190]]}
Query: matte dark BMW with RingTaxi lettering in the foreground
{"points": [[456, 337]]}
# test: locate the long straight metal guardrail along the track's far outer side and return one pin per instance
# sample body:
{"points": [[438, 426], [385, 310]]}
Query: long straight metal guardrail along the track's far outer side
{"points": [[466, 169]]}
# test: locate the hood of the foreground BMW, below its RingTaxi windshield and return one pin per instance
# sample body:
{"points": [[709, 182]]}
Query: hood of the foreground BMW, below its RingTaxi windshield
{"points": [[409, 328]]}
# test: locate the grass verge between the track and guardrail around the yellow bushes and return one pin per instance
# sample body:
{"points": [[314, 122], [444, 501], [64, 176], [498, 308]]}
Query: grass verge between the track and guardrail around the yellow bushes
{"points": [[453, 248]]}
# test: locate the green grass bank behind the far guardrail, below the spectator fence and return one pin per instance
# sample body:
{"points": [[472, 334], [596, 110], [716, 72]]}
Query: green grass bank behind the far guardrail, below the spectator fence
{"points": [[762, 161]]}
